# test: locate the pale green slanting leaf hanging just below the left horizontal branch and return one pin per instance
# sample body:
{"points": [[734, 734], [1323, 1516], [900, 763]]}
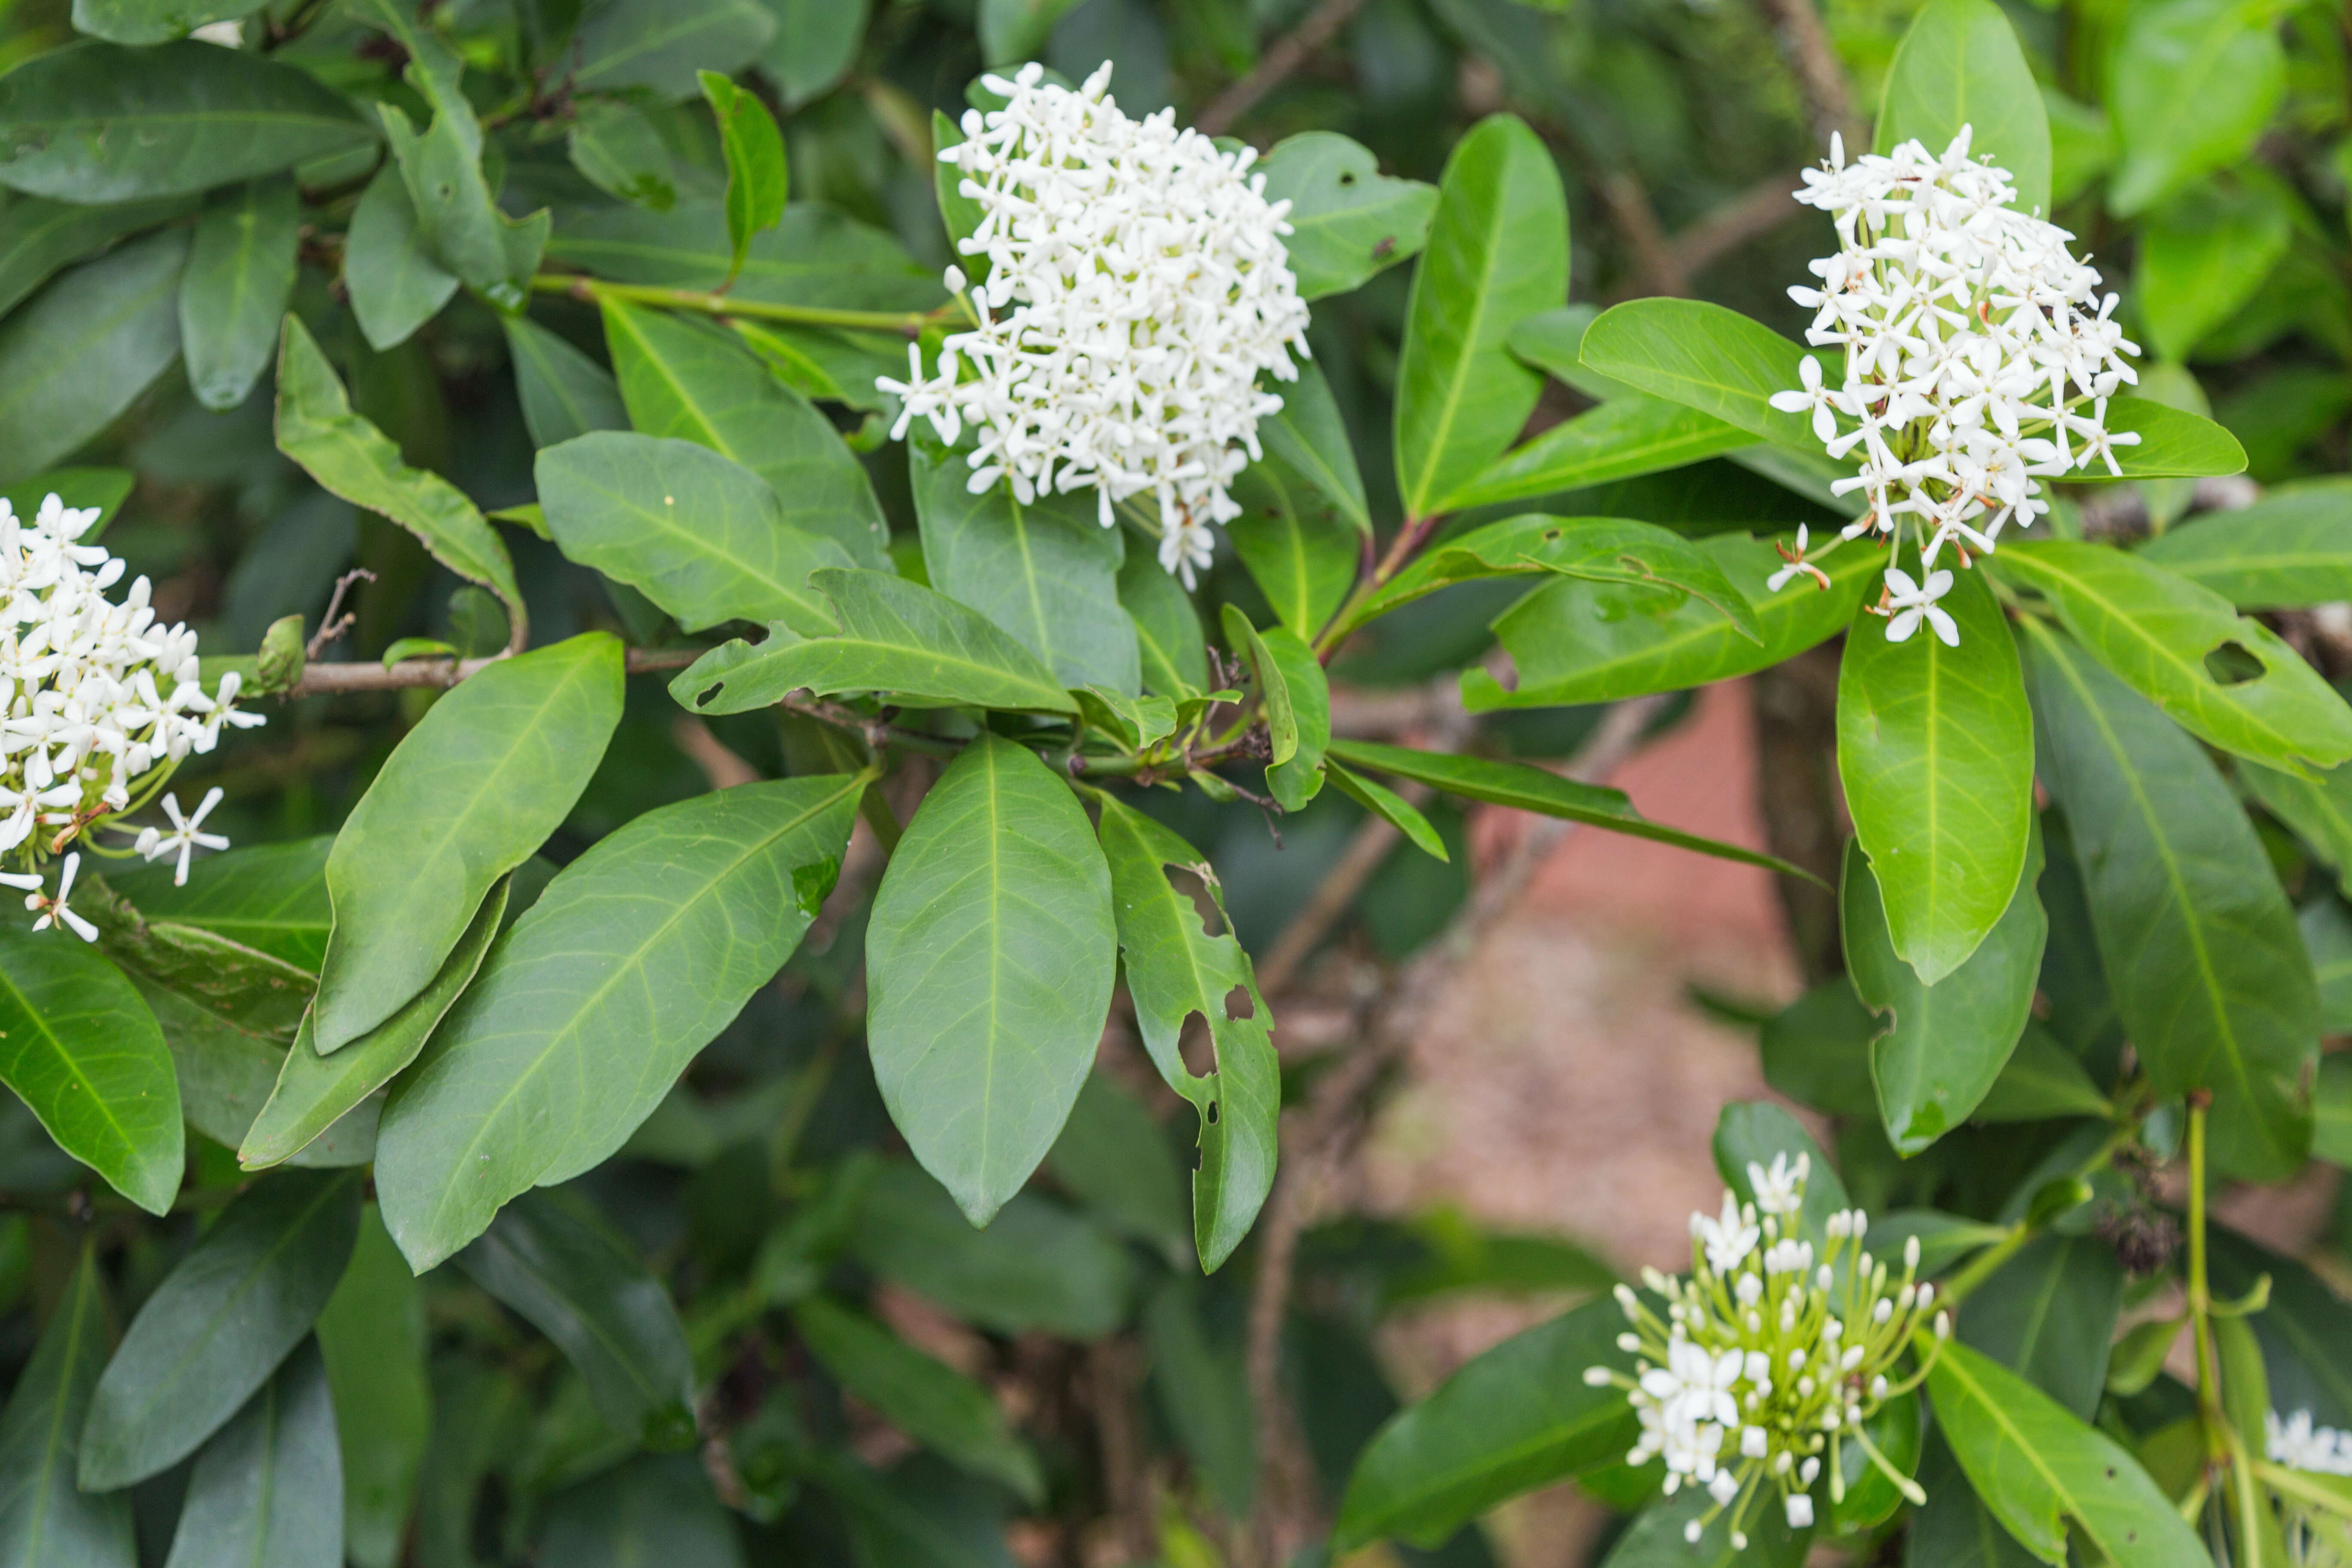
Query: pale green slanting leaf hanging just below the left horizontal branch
{"points": [[467, 796]]}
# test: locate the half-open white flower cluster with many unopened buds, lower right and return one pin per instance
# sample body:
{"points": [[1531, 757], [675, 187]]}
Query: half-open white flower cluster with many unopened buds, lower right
{"points": [[1770, 1360]]}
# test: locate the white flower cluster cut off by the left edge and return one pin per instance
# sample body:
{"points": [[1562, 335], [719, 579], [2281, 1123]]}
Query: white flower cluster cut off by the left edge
{"points": [[93, 697]]}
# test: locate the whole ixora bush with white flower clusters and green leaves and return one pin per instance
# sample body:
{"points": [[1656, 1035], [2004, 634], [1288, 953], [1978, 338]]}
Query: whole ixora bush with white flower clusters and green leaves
{"points": [[427, 1043]]}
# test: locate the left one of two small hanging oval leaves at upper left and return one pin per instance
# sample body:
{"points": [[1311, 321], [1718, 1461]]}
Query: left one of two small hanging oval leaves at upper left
{"points": [[236, 288]]}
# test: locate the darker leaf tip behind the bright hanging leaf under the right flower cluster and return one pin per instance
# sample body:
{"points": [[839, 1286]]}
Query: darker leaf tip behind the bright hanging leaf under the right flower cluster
{"points": [[1944, 1045]]}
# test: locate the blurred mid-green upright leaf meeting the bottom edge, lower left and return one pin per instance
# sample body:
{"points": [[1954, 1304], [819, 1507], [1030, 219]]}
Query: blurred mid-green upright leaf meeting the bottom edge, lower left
{"points": [[373, 1336]]}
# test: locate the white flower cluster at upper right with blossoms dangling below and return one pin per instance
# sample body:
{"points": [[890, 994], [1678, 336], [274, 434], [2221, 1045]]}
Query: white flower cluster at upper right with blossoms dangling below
{"points": [[1975, 344]]}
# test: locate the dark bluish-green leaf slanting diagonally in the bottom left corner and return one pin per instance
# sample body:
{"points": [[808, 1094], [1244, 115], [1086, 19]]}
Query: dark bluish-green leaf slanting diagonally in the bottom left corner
{"points": [[220, 1325]]}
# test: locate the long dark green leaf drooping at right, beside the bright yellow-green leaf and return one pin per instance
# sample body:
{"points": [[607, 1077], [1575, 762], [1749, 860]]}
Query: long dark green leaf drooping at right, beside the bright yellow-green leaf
{"points": [[2193, 930]]}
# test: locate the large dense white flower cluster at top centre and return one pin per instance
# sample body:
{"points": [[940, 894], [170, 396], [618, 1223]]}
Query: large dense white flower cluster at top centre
{"points": [[1137, 293]]}
